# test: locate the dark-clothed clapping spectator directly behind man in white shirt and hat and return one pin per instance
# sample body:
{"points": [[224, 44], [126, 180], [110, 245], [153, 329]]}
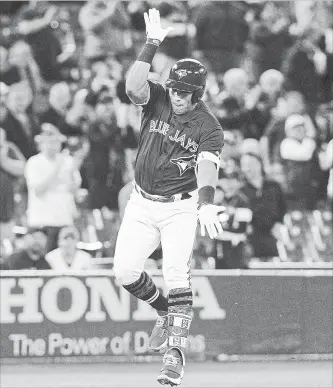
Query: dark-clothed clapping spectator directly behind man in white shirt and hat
{"points": [[60, 113]]}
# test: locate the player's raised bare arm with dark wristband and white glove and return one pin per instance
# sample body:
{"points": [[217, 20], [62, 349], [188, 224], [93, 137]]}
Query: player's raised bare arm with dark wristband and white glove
{"points": [[137, 87]]}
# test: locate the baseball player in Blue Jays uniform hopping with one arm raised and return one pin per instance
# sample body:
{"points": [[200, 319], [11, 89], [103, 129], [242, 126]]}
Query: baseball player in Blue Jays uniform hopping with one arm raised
{"points": [[175, 177]]}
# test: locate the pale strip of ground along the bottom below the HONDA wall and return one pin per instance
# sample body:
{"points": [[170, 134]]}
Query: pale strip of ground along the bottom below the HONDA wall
{"points": [[290, 374]]}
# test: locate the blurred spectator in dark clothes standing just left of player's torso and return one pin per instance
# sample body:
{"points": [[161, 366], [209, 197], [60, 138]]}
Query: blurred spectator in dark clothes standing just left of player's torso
{"points": [[106, 155]]}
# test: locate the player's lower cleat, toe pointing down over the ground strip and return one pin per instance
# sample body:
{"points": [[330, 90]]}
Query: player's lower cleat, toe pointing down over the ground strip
{"points": [[172, 371]]}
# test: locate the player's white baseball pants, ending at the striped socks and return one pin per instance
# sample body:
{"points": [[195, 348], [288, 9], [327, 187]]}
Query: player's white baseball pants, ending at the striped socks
{"points": [[145, 224]]}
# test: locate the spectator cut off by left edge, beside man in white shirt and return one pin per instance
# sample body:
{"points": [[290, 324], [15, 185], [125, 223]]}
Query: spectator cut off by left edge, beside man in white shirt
{"points": [[12, 164]]}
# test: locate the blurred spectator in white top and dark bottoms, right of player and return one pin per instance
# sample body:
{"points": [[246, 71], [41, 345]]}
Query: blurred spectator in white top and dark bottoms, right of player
{"points": [[297, 153]]}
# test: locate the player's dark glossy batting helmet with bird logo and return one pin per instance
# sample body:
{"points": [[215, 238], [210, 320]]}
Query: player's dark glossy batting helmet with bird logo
{"points": [[188, 75]]}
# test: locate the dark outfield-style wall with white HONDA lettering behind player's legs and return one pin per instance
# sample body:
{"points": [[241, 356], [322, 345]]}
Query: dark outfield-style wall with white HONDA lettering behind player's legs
{"points": [[87, 316]]}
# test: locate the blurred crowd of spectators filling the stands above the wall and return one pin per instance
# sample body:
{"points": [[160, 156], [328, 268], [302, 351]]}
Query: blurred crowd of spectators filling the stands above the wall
{"points": [[69, 132]]}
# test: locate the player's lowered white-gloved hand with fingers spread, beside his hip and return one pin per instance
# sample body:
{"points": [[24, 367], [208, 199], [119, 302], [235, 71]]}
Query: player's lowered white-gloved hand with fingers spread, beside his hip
{"points": [[209, 220]]}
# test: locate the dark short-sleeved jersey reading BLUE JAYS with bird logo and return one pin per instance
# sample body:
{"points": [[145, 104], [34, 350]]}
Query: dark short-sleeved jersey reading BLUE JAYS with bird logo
{"points": [[169, 144]]}
